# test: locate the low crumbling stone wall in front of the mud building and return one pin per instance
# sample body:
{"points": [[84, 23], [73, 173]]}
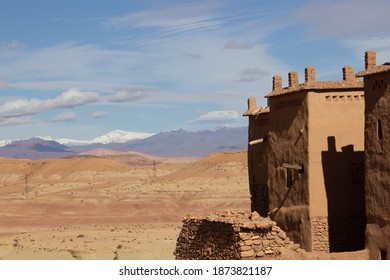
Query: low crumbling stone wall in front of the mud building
{"points": [[232, 236]]}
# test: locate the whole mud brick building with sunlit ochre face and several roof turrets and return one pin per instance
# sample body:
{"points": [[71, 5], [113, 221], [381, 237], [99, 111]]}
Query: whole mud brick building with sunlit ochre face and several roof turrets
{"points": [[308, 168]]}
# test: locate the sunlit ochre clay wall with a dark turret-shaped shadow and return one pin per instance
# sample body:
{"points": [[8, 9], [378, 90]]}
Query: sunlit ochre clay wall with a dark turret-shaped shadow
{"points": [[336, 180]]}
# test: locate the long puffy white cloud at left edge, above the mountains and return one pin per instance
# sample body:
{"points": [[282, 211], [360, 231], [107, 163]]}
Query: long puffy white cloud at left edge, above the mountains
{"points": [[68, 99]]}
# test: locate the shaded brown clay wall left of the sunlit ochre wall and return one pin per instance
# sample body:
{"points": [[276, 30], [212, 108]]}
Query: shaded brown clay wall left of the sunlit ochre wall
{"points": [[287, 144]]}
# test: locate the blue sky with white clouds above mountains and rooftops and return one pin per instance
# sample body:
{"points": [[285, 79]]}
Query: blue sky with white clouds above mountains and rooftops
{"points": [[81, 68]]}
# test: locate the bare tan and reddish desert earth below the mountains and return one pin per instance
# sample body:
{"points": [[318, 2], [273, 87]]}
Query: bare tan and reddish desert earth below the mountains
{"points": [[98, 208]]}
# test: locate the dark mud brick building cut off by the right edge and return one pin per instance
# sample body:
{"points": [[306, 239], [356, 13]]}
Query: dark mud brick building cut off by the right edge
{"points": [[377, 155]]}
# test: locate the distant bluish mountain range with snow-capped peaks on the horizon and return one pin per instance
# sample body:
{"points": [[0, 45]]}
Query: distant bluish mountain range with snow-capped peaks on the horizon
{"points": [[175, 143]]}
